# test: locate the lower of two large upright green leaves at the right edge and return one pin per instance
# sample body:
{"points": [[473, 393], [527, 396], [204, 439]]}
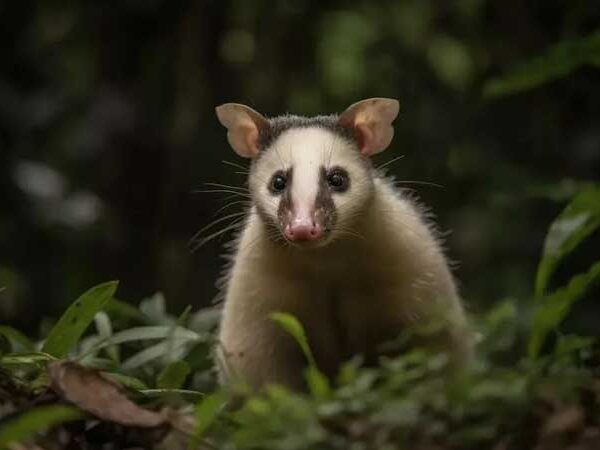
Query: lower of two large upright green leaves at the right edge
{"points": [[556, 306]]}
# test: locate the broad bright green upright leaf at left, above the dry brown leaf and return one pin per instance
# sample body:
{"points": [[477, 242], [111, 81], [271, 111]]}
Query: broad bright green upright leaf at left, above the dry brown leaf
{"points": [[73, 323]]}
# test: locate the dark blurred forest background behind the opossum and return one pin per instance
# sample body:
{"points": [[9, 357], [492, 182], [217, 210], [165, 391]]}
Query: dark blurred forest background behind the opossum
{"points": [[107, 128]]}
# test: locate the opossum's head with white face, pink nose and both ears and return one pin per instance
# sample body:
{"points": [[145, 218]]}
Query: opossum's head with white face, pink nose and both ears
{"points": [[311, 178]]}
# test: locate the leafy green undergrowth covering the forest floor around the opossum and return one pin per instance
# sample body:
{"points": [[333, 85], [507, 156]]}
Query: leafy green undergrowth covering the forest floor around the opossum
{"points": [[110, 375]]}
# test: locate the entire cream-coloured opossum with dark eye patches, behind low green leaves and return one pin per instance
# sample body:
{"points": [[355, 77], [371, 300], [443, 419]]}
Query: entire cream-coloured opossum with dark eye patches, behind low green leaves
{"points": [[331, 241]]}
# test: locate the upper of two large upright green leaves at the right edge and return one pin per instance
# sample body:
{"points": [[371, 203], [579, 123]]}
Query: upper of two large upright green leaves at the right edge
{"points": [[577, 221]]}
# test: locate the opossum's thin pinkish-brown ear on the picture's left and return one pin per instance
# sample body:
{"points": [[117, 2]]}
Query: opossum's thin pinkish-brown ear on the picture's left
{"points": [[243, 127]]}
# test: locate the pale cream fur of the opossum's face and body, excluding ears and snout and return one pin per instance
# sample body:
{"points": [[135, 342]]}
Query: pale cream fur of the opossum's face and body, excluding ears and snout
{"points": [[381, 271]]}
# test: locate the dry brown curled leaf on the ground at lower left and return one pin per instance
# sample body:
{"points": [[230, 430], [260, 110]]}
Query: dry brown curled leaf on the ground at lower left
{"points": [[103, 398]]}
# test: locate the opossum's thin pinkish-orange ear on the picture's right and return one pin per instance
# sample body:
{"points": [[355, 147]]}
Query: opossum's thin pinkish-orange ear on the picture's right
{"points": [[371, 121]]}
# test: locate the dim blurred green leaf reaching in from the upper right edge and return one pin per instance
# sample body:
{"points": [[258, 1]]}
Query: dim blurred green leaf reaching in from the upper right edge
{"points": [[557, 62]]}
